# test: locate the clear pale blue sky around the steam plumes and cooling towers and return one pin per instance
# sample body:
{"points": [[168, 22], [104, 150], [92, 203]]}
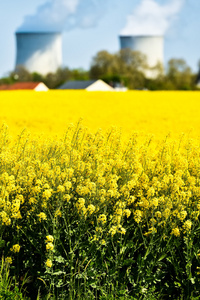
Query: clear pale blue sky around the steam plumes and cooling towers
{"points": [[182, 39]]}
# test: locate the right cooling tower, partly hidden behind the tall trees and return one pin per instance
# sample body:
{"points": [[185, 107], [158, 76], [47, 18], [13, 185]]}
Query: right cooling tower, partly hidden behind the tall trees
{"points": [[151, 46]]}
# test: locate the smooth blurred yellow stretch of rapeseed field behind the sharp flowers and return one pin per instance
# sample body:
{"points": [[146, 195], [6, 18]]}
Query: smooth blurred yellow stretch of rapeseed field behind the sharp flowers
{"points": [[149, 112]]}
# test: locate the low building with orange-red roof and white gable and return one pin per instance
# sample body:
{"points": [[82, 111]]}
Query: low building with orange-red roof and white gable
{"points": [[35, 86]]}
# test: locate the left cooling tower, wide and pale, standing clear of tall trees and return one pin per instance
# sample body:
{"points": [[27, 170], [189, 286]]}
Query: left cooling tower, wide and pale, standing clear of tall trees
{"points": [[39, 52]]}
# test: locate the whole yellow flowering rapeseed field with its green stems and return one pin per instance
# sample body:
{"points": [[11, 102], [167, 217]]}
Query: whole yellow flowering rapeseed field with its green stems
{"points": [[106, 207]]}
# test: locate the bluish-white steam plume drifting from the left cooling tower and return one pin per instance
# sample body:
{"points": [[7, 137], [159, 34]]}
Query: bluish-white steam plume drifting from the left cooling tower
{"points": [[58, 15]]}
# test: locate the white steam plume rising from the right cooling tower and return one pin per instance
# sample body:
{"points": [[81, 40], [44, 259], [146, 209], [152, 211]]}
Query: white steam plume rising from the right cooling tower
{"points": [[151, 18]]}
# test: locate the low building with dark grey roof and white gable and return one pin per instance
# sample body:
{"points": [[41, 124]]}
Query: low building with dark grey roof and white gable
{"points": [[88, 85]]}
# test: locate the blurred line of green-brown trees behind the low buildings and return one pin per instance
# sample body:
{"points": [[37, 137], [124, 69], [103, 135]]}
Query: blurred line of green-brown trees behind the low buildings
{"points": [[124, 68]]}
